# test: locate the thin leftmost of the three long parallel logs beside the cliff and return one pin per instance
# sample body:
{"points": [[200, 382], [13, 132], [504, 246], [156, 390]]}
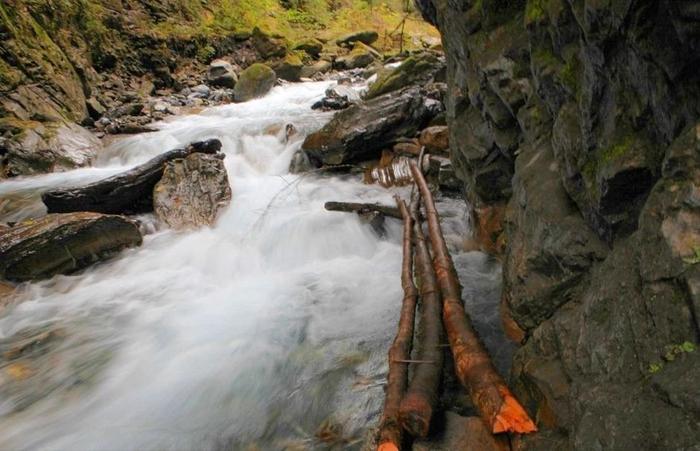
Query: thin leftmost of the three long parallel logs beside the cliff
{"points": [[390, 433]]}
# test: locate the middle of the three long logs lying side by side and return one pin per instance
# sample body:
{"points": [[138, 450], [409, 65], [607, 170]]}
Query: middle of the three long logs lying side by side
{"points": [[422, 396]]}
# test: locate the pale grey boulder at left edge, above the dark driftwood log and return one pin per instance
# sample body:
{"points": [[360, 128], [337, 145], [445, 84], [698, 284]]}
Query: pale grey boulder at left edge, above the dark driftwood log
{"points": [[34, 148]]}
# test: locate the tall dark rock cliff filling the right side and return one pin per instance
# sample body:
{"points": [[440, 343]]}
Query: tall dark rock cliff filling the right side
{"points": [[581, 128]]}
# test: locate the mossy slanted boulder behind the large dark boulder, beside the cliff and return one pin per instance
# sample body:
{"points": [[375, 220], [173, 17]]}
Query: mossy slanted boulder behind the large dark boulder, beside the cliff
{"points": [[415, 70]]}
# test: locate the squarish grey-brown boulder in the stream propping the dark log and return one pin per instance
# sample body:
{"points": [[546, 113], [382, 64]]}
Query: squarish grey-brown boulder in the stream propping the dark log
{"points": [[192, 191]]}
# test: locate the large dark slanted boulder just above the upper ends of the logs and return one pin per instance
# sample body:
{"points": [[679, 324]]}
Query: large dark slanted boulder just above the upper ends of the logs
{"points": [[361, 131]]}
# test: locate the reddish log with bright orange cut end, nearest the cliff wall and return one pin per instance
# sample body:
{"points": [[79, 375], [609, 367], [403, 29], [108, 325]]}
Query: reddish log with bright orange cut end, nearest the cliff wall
{"points": [[489, 393]]}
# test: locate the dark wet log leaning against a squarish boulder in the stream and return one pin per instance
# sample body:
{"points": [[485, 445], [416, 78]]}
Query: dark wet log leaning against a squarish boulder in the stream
{"points": [[130, 192]]}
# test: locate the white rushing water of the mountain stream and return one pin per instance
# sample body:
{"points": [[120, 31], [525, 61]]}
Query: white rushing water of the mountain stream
{"points": [[267, 330]]}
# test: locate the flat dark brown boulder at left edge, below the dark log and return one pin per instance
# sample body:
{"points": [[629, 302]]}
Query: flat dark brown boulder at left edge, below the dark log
{"points": [[62, 243]]}
